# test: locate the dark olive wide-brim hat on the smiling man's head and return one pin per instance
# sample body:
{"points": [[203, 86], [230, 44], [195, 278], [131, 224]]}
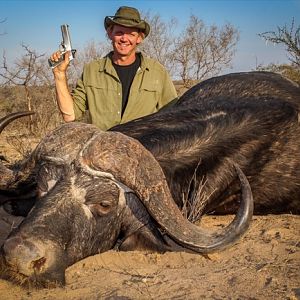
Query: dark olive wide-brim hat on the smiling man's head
{"points": [[127, 17]]}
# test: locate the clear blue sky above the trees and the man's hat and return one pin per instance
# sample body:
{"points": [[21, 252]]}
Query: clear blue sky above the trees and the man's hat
{"points": [[37, 23]]}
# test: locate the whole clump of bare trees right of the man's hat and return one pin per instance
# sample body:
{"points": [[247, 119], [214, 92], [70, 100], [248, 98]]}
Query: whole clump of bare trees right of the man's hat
{"points": [[196, 53]]}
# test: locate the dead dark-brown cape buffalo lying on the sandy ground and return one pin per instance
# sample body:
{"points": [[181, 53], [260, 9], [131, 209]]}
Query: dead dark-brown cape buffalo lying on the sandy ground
{"points": [[137, 185]]}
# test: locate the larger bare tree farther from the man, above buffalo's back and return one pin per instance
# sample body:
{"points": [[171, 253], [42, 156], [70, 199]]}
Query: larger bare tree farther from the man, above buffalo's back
{"points": [[201, 51]]}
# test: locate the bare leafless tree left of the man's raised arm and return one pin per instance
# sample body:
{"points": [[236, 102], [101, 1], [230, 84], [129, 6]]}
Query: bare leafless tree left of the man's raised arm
{"points": [[31, 72]]}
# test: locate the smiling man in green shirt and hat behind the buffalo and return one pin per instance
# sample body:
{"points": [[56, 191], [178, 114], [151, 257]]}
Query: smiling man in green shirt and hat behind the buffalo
{"points": [[122, 86]]}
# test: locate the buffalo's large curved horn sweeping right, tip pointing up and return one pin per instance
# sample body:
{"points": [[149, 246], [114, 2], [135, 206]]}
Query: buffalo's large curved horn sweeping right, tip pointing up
{"points": [[130, 163]]}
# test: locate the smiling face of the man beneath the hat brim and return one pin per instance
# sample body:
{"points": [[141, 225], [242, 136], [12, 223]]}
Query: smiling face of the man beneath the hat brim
{"points": [[124, 39]]}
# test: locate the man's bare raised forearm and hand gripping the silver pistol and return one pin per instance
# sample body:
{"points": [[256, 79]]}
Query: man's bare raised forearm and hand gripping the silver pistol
{"points": [[63, 96]]}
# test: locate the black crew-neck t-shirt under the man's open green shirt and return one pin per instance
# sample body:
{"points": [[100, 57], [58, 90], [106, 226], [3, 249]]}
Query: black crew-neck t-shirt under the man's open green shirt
{"points": [[126, 75]]}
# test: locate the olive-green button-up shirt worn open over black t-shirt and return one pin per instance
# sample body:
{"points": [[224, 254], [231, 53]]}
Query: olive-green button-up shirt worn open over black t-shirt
{"points": [[99, 90]]}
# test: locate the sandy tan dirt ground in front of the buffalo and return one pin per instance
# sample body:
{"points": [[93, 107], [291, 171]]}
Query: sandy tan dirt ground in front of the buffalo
{"points": [[264, 264]]}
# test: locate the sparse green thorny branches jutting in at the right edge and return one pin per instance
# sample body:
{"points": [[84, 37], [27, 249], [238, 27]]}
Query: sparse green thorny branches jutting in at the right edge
{"points": [[289, 37]]}
